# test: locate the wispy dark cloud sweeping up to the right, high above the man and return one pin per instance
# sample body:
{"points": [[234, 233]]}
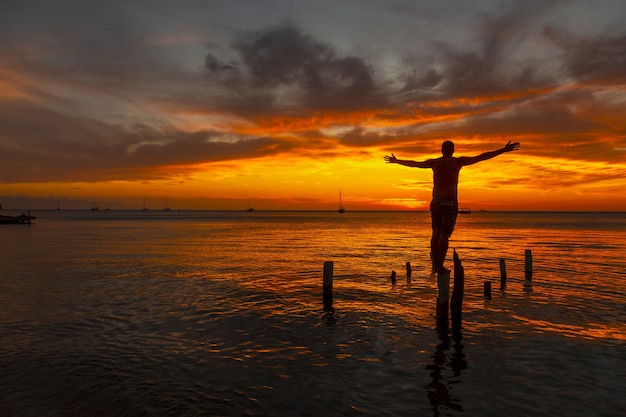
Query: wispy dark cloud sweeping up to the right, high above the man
{"points": [[454, 70]]}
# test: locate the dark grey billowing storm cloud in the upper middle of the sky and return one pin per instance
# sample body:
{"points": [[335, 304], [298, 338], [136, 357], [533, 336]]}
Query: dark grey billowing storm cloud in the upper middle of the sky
{"points": [[310, 71]]}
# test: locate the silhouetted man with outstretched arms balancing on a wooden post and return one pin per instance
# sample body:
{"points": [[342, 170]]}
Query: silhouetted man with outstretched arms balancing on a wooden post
{"points": [[444, 205]]}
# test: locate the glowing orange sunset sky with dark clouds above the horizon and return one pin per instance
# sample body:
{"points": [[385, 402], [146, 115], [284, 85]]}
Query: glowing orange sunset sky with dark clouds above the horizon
{"points": [[286, 104]]}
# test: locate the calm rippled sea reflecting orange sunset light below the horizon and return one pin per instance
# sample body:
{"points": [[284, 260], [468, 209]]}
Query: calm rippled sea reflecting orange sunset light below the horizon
{"points": [[201, 313]]}
